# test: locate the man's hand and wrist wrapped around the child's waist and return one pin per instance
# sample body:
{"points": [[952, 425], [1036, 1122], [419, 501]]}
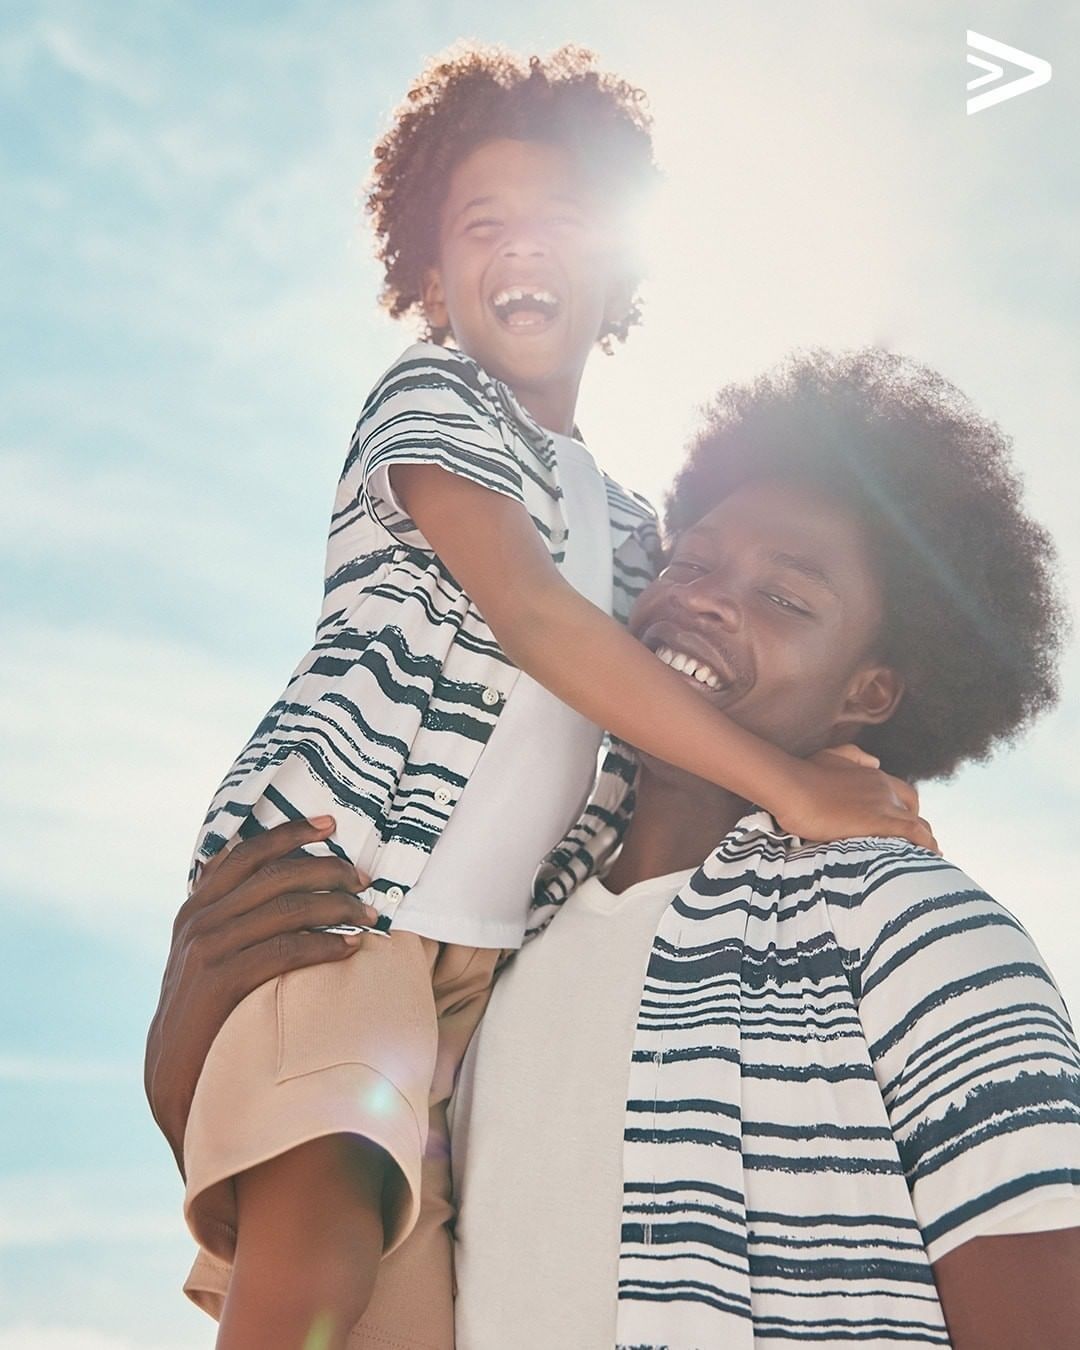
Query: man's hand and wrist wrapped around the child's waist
{"points": [[245, 923]]}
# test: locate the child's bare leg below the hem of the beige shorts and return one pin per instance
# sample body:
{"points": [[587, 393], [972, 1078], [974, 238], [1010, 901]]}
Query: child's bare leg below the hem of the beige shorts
{"points": [[308, 1247]]}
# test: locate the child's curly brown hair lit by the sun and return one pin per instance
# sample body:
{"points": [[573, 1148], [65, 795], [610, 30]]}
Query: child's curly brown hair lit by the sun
{"points": [[473, 95]]}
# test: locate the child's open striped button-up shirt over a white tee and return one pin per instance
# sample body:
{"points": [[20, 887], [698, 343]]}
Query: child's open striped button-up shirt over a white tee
{"points": [[385, 719]]}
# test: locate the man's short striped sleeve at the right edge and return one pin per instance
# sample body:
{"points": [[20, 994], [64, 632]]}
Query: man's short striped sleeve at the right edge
{"points": [[973, 1048]]}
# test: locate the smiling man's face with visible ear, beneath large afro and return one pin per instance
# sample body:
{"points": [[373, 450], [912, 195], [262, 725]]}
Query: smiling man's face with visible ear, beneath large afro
{"points": [[772, 608]]}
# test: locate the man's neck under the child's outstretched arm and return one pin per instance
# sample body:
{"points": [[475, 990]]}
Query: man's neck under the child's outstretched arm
{"points": [[678, 821]]}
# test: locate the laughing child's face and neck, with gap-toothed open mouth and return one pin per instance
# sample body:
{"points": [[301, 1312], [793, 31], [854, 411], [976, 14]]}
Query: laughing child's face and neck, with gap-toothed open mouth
{"points": [[527, 272]]}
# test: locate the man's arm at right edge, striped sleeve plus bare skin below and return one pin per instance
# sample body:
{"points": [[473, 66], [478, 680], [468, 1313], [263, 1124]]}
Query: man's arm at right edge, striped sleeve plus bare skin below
{"points": [[977, 1060]]}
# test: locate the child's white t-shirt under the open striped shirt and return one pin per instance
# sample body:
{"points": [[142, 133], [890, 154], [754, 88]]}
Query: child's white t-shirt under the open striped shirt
{"points": [[537, 772]]}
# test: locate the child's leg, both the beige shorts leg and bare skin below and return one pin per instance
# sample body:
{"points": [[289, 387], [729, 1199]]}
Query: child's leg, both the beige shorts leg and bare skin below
{"points": [[306, 1141]]}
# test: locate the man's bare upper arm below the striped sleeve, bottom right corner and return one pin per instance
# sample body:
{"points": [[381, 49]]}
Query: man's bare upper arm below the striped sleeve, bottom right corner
{"points": [[1020, 1291]]}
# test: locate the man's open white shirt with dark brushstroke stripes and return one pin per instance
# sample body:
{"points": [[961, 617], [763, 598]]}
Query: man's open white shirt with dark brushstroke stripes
{"points": [[848, 1060]]}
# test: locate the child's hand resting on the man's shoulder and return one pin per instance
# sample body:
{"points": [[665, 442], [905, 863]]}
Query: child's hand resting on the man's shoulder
{"points": [[839, 796]]}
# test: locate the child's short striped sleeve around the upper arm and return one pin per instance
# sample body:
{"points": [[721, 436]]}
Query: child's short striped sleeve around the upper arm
{"points": [[430, 408]]}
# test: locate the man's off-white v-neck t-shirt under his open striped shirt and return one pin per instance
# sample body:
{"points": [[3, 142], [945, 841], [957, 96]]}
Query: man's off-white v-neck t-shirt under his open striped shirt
{"points": [[538, 1131]]}
